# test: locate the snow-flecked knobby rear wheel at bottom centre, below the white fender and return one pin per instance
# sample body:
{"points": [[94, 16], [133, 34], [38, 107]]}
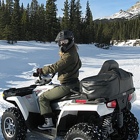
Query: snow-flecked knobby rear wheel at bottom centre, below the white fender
{"points": [[83, 131]]}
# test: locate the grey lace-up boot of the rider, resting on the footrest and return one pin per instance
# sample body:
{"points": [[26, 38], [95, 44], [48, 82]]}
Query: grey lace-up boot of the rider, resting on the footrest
{"points": [[48, 123]]}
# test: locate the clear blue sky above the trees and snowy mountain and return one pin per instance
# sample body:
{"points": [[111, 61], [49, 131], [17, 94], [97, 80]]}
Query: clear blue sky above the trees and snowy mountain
{"points": [[99, 8]]}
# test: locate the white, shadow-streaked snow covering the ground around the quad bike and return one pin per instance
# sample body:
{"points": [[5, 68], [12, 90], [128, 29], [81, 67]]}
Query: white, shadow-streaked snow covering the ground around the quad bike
{"points": [[19, 61]]}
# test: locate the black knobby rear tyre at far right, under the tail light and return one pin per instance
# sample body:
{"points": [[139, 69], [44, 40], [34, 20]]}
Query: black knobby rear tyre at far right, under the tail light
{"points": [[130, 129]]}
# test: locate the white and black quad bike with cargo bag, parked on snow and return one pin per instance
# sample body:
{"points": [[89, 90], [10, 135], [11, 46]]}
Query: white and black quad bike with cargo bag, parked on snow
{"points": [[100, 110]]}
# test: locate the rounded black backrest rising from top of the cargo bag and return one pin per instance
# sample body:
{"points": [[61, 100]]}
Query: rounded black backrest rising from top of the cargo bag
{"points": [[108, 65]]}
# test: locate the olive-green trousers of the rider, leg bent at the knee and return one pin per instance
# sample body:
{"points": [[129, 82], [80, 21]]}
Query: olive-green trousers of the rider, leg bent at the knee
{"points": [[55, 93]]}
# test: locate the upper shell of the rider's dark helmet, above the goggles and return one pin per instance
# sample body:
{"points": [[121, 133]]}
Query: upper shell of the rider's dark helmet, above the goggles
{"points": [[64, 34]]}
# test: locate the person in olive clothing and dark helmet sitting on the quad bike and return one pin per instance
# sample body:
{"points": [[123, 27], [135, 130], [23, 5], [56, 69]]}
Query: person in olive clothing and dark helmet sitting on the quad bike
{"points": [[68, 72]]}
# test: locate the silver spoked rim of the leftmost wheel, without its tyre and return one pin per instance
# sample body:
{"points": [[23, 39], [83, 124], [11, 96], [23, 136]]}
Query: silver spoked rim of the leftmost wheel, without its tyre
{"points": [[9, 127]]}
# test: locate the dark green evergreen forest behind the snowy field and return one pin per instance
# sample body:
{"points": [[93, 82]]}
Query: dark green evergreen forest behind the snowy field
{"points": [[40, 22]]}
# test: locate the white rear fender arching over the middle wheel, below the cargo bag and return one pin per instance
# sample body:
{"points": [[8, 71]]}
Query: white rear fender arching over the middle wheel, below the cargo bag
{"points": [[73, 108]]}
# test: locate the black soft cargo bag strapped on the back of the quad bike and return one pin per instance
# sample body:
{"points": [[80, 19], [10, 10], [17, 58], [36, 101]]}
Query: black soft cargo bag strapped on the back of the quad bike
{"points": [[108, 85]]}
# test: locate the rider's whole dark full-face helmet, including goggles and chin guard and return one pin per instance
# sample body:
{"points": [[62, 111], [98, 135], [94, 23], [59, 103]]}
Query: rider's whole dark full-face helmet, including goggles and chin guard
{"points": [[65, 40]]}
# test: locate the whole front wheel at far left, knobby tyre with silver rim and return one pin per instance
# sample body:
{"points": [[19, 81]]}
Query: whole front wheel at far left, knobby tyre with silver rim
{"points": [[13, 125]]}
